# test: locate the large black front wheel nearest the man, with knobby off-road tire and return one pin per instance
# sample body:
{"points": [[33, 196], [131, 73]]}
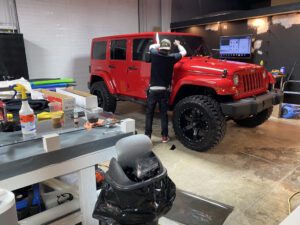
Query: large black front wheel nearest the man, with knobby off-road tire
{"points": [[199, 123]]}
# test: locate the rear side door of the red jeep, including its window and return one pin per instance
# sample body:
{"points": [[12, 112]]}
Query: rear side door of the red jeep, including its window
{"points": [[118, 65]]}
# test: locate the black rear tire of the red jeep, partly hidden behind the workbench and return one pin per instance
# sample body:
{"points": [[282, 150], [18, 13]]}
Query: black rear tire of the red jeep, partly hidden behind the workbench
{"points": [[105, 100]]}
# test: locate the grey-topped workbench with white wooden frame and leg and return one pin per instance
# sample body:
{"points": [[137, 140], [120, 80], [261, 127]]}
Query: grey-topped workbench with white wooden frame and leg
{"points": [[23, 163]]}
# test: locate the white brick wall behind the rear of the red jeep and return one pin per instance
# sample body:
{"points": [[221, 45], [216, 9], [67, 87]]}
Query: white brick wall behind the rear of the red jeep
{"points": [[58, 33]]}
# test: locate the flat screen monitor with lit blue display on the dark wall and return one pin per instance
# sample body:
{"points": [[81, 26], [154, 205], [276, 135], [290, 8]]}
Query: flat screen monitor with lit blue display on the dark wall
{"points": [[235, 46]]}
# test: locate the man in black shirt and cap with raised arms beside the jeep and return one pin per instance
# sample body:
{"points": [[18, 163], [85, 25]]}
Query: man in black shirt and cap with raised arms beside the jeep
{"points": [[162, 65]]}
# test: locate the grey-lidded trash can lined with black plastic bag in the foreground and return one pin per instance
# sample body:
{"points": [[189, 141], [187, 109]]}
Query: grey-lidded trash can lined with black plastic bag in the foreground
{"points": [[136, 189]]}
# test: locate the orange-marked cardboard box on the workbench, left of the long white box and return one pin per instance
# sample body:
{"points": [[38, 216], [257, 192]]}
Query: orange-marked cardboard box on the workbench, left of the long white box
{"points": [[67, 102]]}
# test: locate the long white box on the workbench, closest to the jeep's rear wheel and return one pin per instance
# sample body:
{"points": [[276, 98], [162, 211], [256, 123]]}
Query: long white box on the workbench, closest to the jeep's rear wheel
{"points": [[82, 99]]}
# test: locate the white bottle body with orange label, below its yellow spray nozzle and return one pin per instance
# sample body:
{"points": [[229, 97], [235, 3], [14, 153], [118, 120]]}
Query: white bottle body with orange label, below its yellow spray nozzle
{"points": [[27, 119]]}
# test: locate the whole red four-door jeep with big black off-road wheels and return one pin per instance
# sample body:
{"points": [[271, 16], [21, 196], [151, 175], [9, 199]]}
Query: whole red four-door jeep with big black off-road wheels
{"points": [[205, 91]]}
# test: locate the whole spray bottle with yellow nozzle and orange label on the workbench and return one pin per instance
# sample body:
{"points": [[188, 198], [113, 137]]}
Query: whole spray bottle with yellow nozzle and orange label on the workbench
{"points": [[26, 113]]}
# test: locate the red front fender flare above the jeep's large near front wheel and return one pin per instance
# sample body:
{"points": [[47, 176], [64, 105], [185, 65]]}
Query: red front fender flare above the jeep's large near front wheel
{"points": [[222, 86]]}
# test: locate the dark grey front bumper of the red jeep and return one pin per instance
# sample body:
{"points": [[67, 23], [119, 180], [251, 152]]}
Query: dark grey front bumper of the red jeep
{"points": [[251, 106]]}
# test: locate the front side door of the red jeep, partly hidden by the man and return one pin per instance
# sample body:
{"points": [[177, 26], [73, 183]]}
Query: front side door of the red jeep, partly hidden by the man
{"points": [[138, 75]]}
